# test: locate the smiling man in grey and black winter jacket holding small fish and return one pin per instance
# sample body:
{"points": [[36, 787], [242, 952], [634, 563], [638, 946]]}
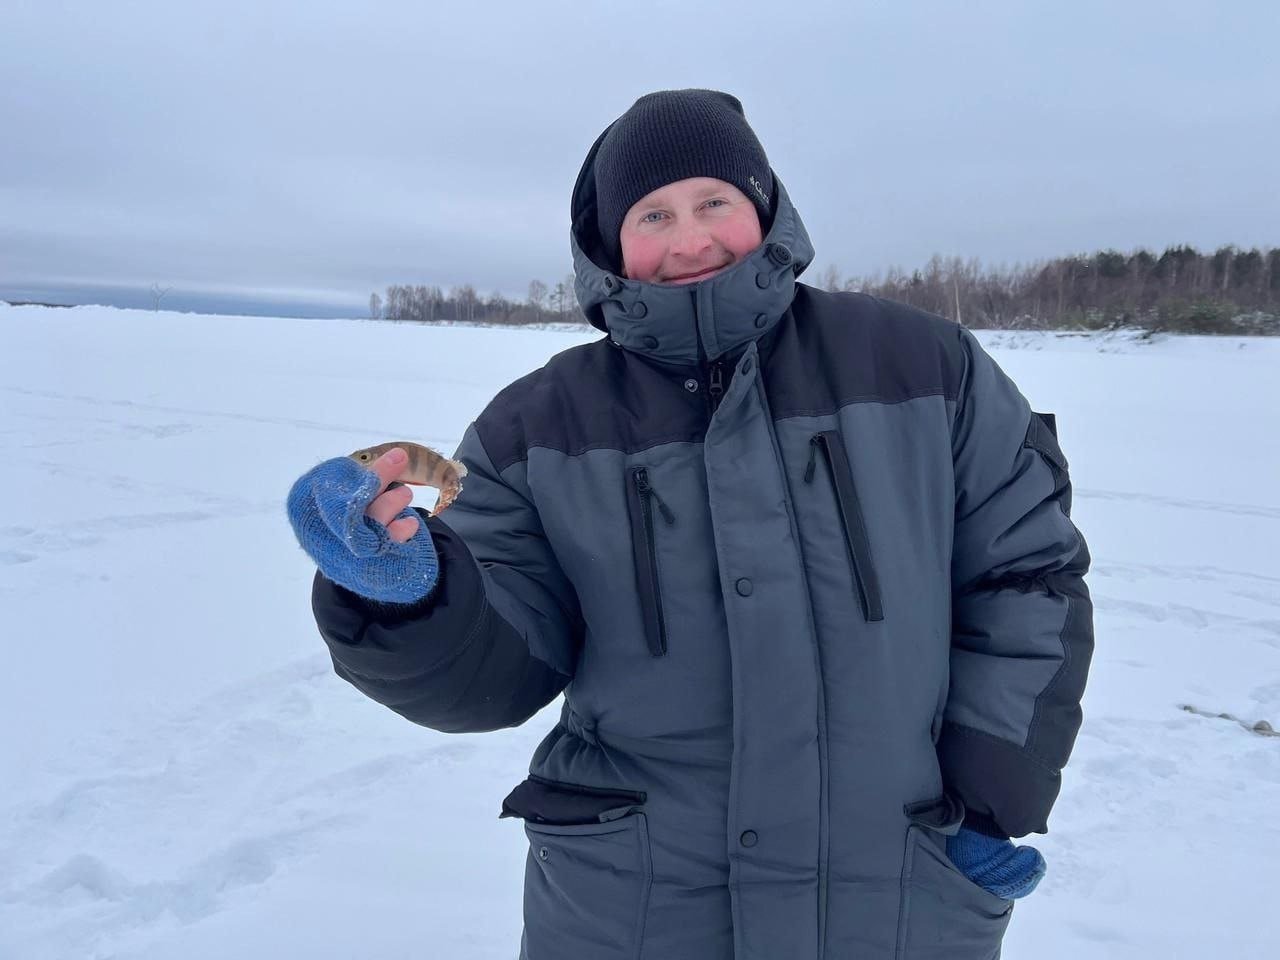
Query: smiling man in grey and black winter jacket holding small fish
{"points": [[801, 563]]}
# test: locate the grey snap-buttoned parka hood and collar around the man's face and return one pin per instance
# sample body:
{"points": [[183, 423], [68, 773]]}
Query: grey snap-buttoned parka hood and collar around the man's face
{"points": [[687, 323]]}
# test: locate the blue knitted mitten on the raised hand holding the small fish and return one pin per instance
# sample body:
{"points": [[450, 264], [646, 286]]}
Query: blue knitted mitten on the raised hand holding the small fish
{"points": [[327, 509]]}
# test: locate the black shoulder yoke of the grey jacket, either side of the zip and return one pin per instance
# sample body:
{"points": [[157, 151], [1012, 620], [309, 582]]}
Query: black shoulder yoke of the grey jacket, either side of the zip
{"points": [[830, 350]]}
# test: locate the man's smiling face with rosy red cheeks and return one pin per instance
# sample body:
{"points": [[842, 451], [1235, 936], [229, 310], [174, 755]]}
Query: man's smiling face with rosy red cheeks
{"points": [[688, 231]]}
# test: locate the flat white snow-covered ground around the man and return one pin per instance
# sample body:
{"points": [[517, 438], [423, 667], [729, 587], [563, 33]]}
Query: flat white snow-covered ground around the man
{"points": [[184, 776]]}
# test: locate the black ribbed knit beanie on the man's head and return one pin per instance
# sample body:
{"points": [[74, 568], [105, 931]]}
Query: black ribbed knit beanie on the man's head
{"points": [[670, 136]]}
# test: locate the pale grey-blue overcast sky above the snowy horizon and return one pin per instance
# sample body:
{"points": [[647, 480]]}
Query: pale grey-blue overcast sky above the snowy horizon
{"points": [[317, 152]]}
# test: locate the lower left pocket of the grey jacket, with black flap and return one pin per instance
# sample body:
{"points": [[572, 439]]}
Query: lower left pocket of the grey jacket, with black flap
{"points": [[588, 874]]}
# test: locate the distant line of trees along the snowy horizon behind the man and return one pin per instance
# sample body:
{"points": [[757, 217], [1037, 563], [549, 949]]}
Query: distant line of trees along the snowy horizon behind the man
{"points": [[1229, 291]]}
